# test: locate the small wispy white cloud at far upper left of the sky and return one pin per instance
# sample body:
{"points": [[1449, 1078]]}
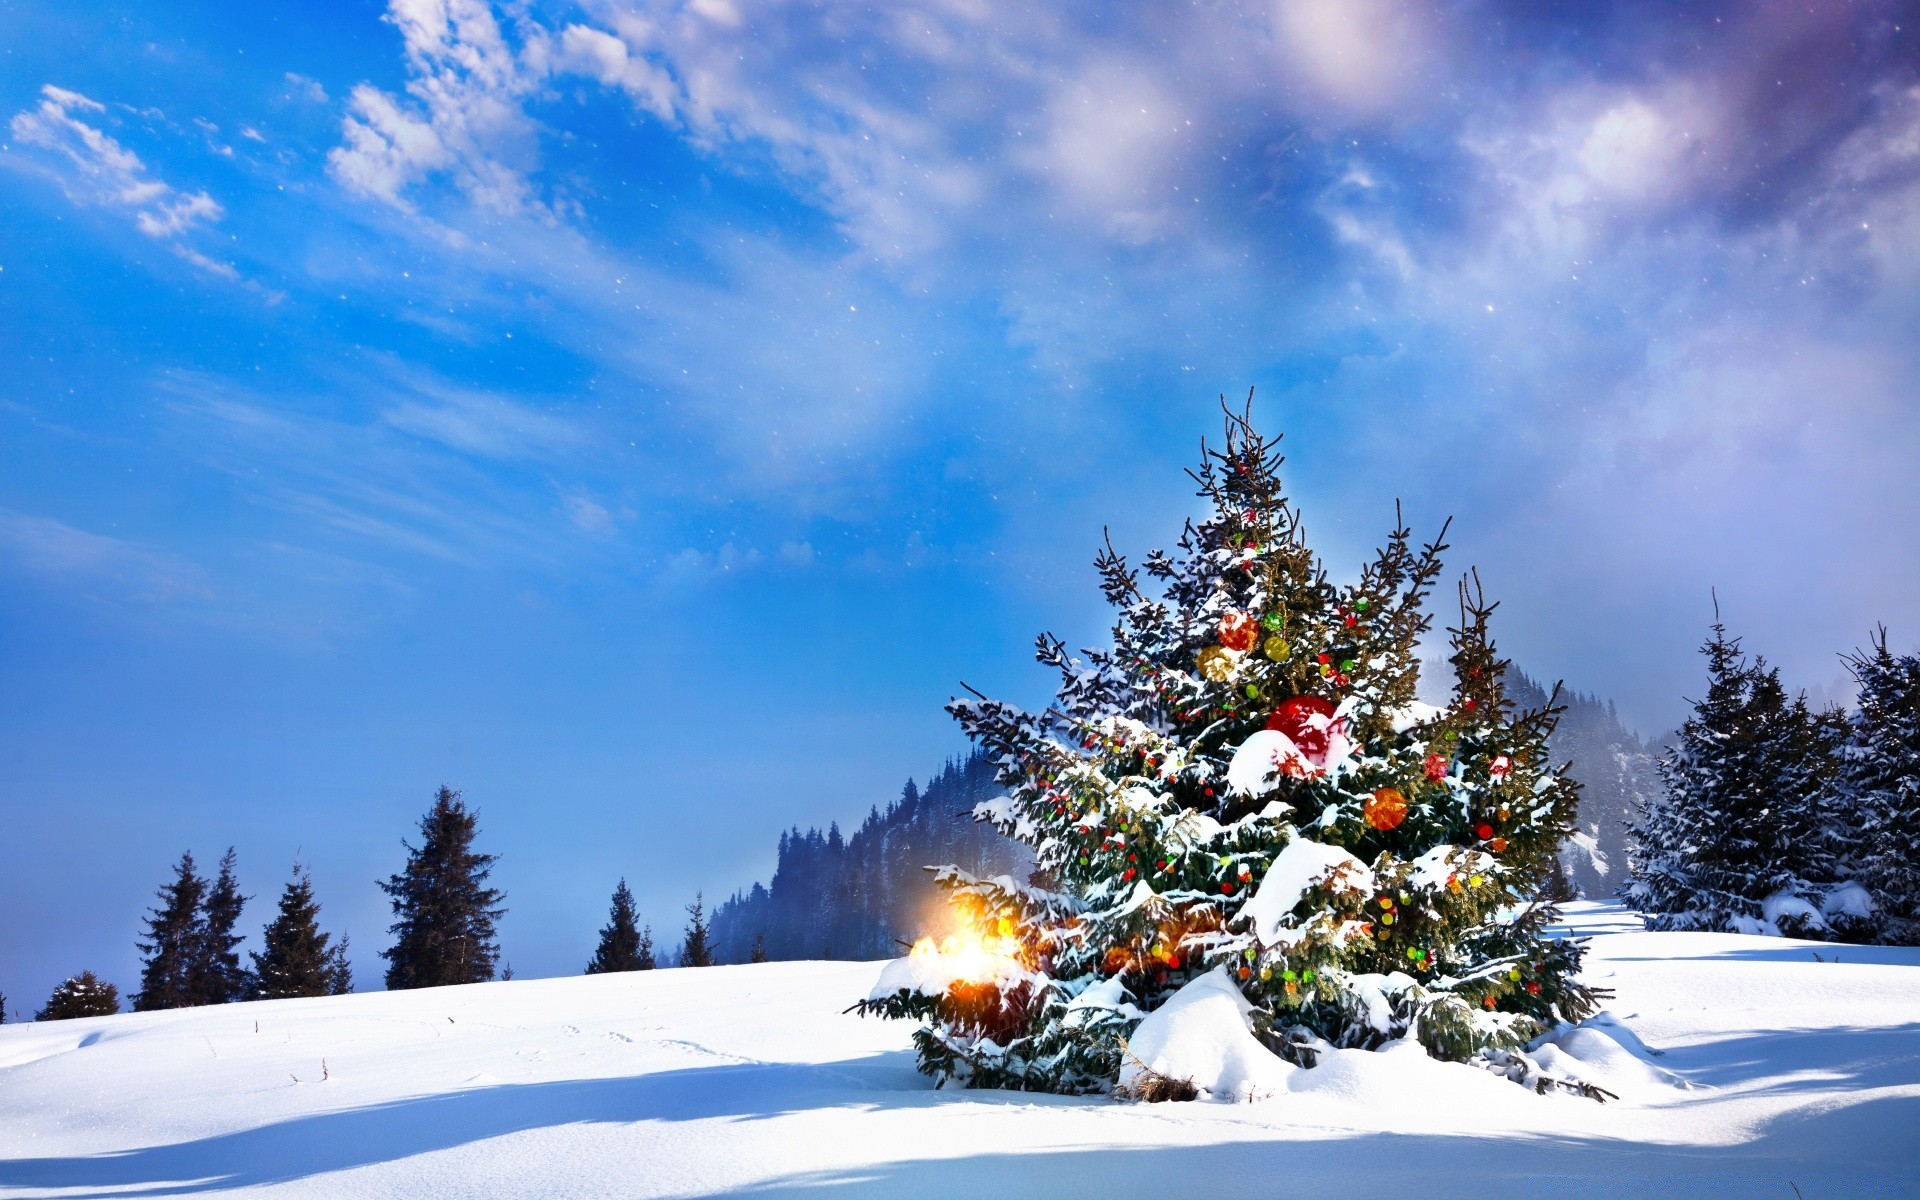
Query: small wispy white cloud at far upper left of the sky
{"points": [[95, 170]]}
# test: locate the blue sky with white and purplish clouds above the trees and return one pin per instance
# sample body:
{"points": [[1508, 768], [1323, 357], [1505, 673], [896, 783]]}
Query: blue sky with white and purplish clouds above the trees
{"points": [[644, 416]]}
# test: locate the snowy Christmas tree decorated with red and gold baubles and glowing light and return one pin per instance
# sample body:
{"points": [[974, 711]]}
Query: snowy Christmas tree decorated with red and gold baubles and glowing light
{"points": [[1247, 786]]}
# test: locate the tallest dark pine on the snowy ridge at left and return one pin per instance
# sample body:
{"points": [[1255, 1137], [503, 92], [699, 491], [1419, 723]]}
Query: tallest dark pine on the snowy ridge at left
{"points": [[446, 911]]}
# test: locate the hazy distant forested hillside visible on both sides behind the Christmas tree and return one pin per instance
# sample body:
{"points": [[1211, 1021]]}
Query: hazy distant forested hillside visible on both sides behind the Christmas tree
{"points": [[863, 896]]}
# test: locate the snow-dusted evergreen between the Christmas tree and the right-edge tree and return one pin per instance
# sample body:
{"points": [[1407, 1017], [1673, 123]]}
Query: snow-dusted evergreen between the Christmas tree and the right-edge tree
{"points": [[1739, 840]]}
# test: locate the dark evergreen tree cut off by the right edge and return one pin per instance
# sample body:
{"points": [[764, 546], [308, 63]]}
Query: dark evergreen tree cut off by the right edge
{"points": [[1884, 782]]}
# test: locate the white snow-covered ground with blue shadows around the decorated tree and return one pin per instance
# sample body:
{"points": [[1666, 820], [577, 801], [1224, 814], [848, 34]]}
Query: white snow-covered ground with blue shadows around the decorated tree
{"points": [[1802, 1070]]}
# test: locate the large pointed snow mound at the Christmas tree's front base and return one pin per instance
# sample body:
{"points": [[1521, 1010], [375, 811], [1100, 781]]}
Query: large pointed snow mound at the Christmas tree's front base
{"points": [[1203, 1036]]}
